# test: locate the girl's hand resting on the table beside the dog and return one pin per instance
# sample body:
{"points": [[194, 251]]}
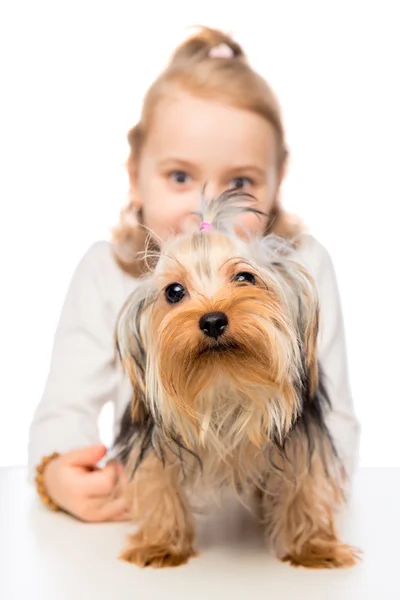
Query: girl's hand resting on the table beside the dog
{"points": [[79, 487]]}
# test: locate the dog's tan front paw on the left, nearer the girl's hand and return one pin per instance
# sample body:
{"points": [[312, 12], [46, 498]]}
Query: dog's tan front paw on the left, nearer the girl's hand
{"points": [[157, 557]]}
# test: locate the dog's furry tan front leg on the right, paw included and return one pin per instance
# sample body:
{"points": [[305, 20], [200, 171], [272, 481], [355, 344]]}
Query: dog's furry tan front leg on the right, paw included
{"points": [[299, 504]]}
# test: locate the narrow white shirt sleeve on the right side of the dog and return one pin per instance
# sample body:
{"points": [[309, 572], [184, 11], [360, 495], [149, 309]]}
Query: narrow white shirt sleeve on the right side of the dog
{"points": [[342, 421]]}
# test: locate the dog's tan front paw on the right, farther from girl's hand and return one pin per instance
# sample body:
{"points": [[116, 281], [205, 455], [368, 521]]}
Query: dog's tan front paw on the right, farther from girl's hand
{"points": [[315, 556]]}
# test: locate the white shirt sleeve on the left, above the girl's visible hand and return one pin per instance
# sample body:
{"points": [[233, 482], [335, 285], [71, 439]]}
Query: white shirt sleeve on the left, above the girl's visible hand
{"points": [[82, 375]]}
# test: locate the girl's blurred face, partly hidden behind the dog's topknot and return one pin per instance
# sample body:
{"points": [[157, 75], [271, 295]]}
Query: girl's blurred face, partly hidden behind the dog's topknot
{"points": [[192, 142]]}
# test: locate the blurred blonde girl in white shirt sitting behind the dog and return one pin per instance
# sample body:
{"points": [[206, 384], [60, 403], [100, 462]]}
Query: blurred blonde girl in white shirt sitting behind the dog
{"points": [[208, 118]]}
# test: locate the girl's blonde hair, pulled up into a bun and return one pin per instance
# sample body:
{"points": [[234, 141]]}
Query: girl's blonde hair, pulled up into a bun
{"points": [[231, 81]]}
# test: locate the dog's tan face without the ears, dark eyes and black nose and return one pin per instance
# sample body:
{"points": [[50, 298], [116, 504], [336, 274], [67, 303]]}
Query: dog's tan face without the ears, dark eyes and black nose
{"points": [[217, 316]]}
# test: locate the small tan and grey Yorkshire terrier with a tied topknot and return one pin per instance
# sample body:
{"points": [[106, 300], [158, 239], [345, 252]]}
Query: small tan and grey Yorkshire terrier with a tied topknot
{"points": [[220, 343]]}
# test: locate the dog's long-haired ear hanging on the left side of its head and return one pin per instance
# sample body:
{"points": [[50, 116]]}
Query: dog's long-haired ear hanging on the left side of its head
{"points": [[131, 343]]}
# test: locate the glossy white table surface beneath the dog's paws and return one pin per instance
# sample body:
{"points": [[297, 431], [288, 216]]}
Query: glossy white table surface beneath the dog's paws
{"points": [[50, 556]]}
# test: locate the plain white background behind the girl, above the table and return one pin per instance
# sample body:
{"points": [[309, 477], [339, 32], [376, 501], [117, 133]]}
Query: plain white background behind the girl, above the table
{"points": [[72, 79]]}
